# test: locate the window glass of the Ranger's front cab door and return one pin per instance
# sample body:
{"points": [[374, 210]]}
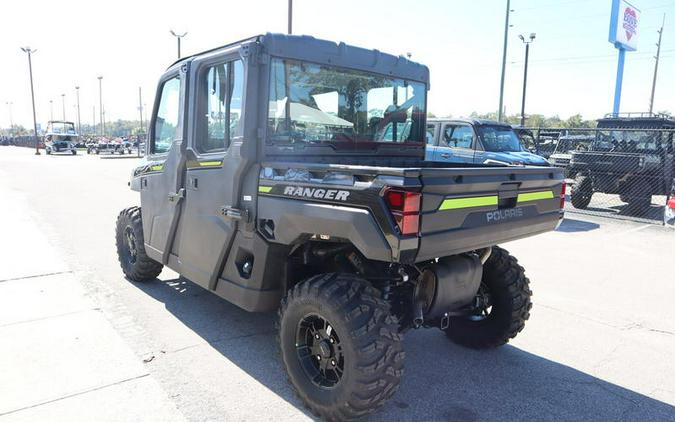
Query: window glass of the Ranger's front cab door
{"points": [[166, 122]]}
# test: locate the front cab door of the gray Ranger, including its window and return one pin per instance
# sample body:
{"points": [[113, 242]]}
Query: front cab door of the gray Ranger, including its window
{"points": [[162, 182]]}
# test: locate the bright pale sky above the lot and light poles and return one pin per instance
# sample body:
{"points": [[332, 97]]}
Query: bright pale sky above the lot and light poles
{"points": [[572, 65]]}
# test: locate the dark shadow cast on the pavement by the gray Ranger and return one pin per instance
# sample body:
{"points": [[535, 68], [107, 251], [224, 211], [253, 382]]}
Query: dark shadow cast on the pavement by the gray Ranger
{"points": [[442, 381]]}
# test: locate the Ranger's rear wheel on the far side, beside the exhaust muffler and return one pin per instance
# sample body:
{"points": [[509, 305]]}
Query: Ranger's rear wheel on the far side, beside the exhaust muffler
{"points": [[505, 297]]}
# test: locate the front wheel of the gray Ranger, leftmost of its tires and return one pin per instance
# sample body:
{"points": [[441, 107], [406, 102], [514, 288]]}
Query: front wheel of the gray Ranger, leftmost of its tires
{"points": [[135, 263]]}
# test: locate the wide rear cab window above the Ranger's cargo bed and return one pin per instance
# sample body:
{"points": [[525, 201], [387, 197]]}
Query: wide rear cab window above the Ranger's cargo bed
{"points": [[317, 103]]}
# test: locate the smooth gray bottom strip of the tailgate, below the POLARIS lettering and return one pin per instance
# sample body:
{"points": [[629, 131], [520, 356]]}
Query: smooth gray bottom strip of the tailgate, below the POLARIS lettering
{"points": [[461, 240]]}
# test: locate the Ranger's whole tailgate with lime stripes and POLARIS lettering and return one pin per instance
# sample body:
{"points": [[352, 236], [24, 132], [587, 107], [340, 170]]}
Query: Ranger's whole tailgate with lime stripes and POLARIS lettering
{"points": [[464, 209]]}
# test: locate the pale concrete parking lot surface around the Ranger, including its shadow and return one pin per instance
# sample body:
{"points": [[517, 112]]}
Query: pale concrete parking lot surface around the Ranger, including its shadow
{"points": [[598, 346]]}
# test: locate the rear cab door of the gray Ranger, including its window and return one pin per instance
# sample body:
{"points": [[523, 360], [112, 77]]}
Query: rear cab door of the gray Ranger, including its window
{"points": [[215, 168]]}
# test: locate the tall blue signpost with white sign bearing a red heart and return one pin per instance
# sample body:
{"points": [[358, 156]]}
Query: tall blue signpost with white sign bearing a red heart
{"points": [[623, 33]]}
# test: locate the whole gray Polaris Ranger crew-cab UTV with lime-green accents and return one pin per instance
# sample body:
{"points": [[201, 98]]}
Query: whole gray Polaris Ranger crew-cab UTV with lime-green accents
{"points": [[287, 173]]}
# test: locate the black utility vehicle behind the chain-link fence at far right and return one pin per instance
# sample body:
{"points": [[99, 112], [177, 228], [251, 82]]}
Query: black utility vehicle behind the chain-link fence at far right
{"points": [[631, 155]]}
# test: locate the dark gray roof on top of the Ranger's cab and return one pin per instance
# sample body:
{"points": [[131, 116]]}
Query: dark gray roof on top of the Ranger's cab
{"points": [[304, 47]]}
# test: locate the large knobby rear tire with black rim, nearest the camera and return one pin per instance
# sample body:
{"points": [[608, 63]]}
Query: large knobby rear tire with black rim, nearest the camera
{"points": [[340, 346]]}
